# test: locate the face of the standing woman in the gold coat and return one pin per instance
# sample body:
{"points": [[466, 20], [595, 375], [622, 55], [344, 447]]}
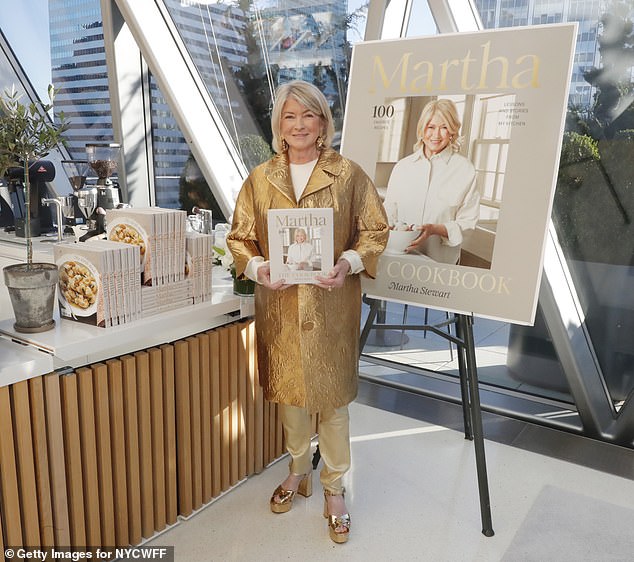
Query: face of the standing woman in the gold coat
{"points": [[300, 127]]}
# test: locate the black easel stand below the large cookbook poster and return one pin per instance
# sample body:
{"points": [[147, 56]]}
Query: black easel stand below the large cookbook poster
{"points": [[469, 390]]}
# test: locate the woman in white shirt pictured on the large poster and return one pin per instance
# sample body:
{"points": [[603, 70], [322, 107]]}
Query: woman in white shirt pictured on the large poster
{"points": [[433, 190]]}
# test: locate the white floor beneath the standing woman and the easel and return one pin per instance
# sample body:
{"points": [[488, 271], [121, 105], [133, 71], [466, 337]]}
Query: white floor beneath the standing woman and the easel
{"points": [[412, 494]]}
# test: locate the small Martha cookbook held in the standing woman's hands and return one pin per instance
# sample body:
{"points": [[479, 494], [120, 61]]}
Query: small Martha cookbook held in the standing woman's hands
{"points": [[300, 244]]}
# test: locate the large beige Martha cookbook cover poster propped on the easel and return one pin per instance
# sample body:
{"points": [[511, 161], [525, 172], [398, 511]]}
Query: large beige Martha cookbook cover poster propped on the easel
{"points": [[468, 194]]}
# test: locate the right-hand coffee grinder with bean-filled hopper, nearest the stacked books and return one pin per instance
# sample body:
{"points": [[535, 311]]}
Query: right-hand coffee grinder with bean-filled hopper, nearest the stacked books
{"points": [[103, 159]]}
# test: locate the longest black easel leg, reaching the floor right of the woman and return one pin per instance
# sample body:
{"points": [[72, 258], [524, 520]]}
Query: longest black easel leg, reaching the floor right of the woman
{"points": [[476, 418]]}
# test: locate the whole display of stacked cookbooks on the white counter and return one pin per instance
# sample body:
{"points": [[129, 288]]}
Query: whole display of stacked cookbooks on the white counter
{"points": [[147, 264]]}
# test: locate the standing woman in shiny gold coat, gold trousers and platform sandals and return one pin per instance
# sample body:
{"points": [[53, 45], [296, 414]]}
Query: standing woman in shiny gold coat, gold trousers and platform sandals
{"points": [[308, 335]]}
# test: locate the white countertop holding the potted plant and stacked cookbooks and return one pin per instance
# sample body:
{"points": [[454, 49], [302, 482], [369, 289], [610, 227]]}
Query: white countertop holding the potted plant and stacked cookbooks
{"points": [[72, 344]]}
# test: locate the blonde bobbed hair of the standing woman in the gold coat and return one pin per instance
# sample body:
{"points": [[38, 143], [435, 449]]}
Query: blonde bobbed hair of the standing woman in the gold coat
{"points": [[310, 97]]}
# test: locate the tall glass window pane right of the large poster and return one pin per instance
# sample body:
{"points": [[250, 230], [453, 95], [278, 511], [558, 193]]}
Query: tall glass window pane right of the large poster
{"points": [[593, 207]]}
